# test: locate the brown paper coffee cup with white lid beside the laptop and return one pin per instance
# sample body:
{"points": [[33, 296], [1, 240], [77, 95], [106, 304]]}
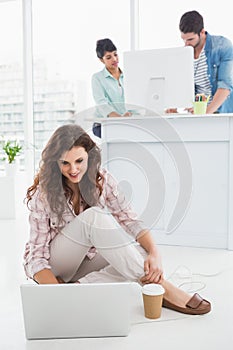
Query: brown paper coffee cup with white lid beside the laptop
{"points": [[152, 299]]}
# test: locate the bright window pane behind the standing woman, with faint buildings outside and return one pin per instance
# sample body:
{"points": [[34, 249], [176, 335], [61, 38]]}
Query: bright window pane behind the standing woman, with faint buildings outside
{"points": [[64, 38]]}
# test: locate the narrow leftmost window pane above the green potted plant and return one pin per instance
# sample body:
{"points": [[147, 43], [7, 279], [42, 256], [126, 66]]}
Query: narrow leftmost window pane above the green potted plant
{"points": [[11, 75]]}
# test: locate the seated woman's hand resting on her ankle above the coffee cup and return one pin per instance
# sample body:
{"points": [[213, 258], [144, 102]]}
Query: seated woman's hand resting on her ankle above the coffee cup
{"points": [[153, 269]]}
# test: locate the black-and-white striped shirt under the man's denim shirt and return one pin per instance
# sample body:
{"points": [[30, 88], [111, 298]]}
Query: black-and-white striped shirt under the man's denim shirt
{"points": [[201, 79]]}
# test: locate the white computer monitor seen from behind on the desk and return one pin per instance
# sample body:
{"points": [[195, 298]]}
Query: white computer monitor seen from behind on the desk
{"points": [[160, 78]]}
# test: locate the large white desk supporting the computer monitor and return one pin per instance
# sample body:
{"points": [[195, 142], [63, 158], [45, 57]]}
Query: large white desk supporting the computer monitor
{"points": [[177, 172]]}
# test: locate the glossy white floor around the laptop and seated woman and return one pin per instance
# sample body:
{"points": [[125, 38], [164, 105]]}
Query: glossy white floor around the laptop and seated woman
{"points": [[208, 271]]}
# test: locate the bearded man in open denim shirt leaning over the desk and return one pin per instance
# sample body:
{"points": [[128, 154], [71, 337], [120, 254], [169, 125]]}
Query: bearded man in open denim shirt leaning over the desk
{"points": [[213, 63]]}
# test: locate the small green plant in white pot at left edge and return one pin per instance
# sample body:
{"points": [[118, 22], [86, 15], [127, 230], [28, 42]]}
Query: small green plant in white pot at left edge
{"points": [[11, 149]]}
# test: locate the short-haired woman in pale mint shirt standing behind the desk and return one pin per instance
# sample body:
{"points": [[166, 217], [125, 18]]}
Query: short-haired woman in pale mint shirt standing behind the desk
{"points": [[108, 84]]}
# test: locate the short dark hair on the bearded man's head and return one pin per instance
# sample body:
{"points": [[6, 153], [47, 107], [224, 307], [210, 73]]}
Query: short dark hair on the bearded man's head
{"points": [[191, 22]]}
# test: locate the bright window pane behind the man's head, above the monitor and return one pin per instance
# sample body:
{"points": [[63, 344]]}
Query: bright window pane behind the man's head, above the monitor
{"points": [[159, 22]]}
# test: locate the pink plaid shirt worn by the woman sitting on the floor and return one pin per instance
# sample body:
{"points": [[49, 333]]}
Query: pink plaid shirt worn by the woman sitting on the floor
{"points": [[44, 224]]}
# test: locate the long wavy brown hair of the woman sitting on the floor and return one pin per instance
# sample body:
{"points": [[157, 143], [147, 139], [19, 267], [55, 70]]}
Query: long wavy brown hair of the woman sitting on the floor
{"points": [[53, 185]]}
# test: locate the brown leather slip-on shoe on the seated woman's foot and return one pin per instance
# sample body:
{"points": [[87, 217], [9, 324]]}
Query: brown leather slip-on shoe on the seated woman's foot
{"points": [[195, 306]]}
